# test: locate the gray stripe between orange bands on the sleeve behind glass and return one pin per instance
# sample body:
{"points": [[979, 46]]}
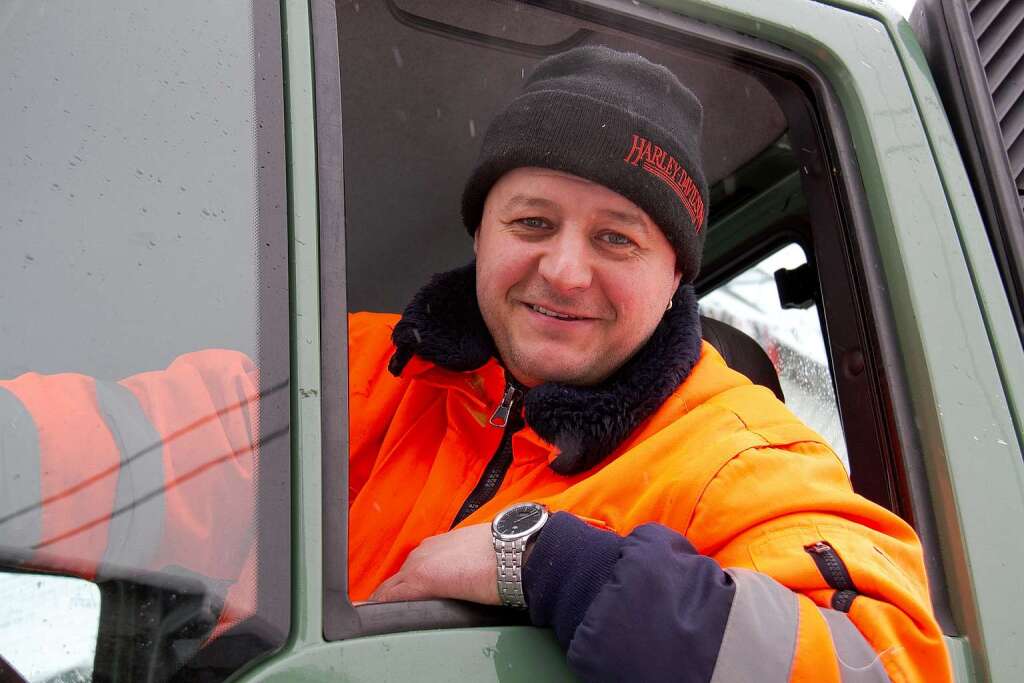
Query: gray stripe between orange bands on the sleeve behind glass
{"points": [[138, 518]]}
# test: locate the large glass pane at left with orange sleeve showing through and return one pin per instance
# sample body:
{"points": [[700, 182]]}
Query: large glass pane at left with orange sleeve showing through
{"points": [[144, 336]]}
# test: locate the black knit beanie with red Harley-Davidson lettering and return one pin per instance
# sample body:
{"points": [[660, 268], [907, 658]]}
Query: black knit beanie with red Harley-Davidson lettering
{"points": [[614, 118]]}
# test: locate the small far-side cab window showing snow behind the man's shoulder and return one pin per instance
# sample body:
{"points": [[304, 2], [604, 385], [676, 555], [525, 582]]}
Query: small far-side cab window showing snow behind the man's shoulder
{"points": [[792, 337]]}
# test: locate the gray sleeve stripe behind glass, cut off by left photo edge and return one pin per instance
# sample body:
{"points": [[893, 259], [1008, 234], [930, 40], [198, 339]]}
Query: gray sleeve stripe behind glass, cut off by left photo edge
{"points": [[21, 476]]}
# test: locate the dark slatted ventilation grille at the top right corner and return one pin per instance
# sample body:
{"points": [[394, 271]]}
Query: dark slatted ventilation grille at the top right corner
{"points": [[999, 27]]}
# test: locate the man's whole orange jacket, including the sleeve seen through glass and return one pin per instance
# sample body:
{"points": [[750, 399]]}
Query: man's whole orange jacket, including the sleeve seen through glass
{"points": [[721, 461]]}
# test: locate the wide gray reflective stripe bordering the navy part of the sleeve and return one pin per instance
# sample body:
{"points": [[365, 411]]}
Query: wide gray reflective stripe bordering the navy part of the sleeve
{"points": [[760, 637]]}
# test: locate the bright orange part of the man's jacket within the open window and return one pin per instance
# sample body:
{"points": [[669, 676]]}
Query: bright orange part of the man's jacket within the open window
{"points": [[722, 461]]}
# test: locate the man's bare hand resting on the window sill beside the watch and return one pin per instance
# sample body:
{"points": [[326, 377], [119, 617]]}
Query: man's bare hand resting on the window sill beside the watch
{"points": [[458, 565]]}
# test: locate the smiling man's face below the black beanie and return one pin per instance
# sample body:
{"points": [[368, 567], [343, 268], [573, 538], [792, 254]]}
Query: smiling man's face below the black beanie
{"points": [[572, 278]]}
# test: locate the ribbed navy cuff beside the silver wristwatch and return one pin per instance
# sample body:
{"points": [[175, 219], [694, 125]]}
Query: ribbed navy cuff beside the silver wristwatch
{"points": [[569, 566]]}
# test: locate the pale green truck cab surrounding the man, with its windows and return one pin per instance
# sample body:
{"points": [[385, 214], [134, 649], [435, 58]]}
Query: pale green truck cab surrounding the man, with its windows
{"points": [[242, 176]]}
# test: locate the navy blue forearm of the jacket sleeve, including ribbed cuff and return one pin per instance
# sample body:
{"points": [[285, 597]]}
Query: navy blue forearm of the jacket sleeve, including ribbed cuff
{"points": [[648, 608]]}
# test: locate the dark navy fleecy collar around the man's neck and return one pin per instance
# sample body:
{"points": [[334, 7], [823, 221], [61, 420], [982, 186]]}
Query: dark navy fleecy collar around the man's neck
{"points": [[443, 325]]}
